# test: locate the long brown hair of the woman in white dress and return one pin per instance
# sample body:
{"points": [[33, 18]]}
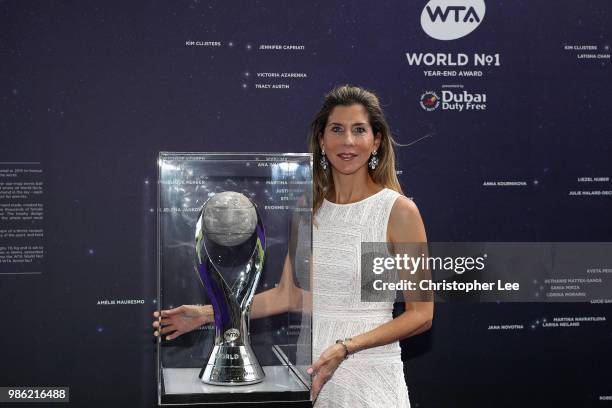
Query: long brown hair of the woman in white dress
{"points": [[347, 95]]}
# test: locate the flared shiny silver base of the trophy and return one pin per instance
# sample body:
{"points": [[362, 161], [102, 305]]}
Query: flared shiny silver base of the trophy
{"points": [[232, 365]]}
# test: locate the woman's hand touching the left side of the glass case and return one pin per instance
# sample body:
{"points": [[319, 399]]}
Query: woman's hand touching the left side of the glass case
{"points": [[180, 320]]}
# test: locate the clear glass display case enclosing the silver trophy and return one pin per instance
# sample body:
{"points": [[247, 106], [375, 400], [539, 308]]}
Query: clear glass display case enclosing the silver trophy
{"points": [[231, 227]]}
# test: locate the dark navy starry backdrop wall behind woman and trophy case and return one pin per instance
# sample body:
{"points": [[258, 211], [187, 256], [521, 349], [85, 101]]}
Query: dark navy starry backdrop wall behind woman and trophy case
{"points": [[94, 90]]}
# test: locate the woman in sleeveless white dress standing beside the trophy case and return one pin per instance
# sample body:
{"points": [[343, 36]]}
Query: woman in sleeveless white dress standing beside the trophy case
{"points": [[357, 198]]}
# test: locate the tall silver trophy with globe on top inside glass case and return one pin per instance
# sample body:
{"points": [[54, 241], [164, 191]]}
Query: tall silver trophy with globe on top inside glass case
{"points": [[230, 247]]}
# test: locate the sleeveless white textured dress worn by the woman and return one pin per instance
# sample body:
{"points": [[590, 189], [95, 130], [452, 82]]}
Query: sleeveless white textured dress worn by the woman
{"points": [[374, 377]]}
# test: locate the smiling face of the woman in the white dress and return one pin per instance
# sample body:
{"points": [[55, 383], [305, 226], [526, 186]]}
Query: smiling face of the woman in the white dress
{"points": [[348, 140]]}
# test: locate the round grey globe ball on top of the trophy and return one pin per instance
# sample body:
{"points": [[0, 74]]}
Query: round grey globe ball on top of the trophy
{"points": [[230, 218]]}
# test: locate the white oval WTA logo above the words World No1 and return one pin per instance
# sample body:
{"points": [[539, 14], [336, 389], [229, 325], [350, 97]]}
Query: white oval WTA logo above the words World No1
{"points": [[451, 19]]}
